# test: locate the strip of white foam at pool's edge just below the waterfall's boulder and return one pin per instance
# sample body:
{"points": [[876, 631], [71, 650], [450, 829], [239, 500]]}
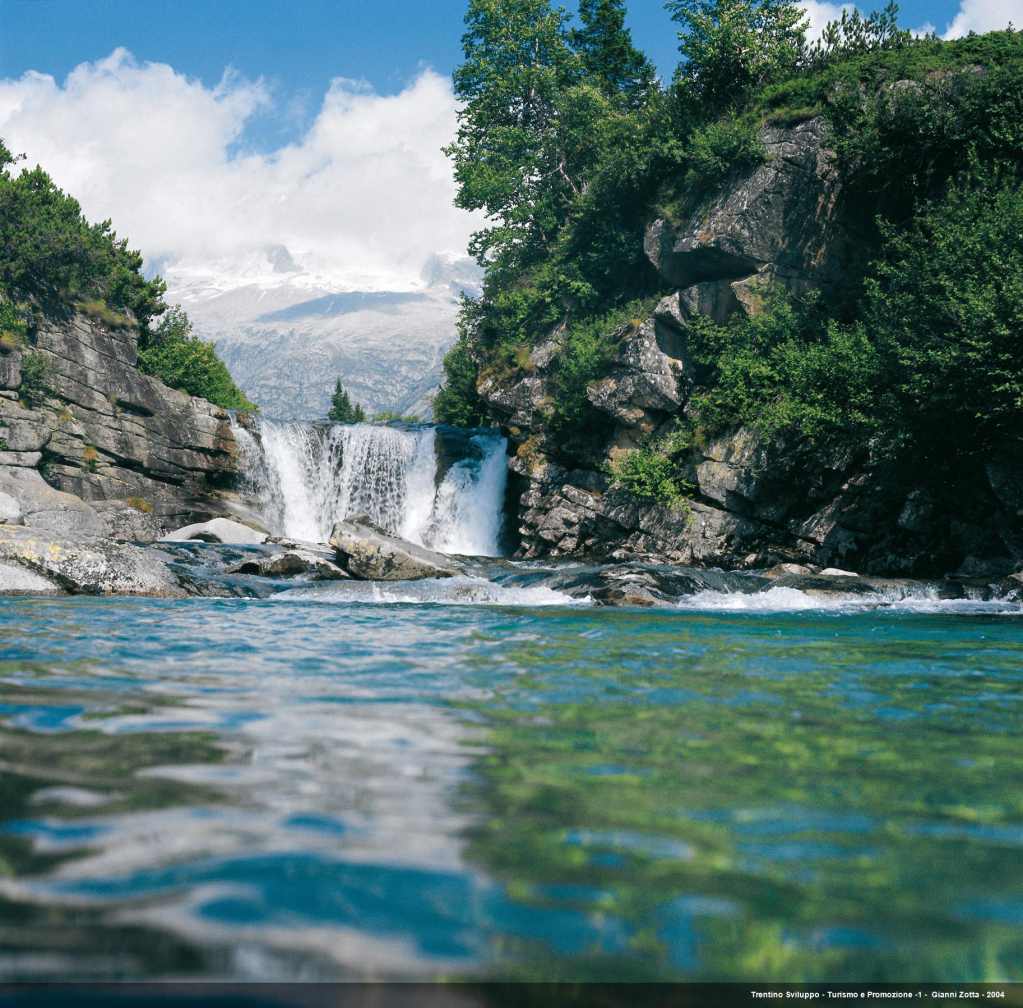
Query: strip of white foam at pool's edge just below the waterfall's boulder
{"points": [[463, 590]]}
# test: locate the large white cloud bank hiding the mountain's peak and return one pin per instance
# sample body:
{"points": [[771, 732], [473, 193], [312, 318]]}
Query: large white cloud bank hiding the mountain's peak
{"points": [[365, 193]]}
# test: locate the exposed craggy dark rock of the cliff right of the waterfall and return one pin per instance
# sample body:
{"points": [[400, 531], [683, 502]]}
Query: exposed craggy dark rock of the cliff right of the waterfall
{"points": [[788, 224]]}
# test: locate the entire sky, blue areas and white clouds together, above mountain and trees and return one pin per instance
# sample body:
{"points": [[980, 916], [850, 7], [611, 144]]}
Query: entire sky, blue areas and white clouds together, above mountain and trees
{"points": [[209, 129]]}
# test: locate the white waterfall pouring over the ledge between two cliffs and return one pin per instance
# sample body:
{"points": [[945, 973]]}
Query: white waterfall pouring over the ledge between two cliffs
{"points": [[304, 477]]}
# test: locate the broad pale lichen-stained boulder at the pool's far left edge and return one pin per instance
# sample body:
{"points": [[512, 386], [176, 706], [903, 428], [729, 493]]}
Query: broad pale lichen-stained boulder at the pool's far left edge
{"points": [[90, 568]]}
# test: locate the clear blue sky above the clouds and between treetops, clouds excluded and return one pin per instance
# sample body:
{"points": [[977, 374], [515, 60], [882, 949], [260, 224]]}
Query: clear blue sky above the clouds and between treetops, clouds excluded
{"points": [[300, 45]]}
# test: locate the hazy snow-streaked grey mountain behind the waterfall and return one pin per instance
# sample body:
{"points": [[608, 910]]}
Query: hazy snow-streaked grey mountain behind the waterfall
{"points": [[288, 331]]}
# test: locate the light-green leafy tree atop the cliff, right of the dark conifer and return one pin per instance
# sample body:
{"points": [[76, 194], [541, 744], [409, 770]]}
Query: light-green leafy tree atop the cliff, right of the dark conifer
{"points": [[732, 48]]}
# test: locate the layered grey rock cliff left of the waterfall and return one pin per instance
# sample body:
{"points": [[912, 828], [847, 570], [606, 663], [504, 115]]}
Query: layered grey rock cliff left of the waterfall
{"points": [[93, 448]]}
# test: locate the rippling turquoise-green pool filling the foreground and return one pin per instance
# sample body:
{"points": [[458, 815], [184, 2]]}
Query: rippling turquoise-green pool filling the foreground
{"points": [[299, 790]]}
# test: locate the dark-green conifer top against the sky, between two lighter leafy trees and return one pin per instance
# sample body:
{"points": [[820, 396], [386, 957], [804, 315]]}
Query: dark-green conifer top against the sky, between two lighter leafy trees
{"points": [[609, 60]]}
